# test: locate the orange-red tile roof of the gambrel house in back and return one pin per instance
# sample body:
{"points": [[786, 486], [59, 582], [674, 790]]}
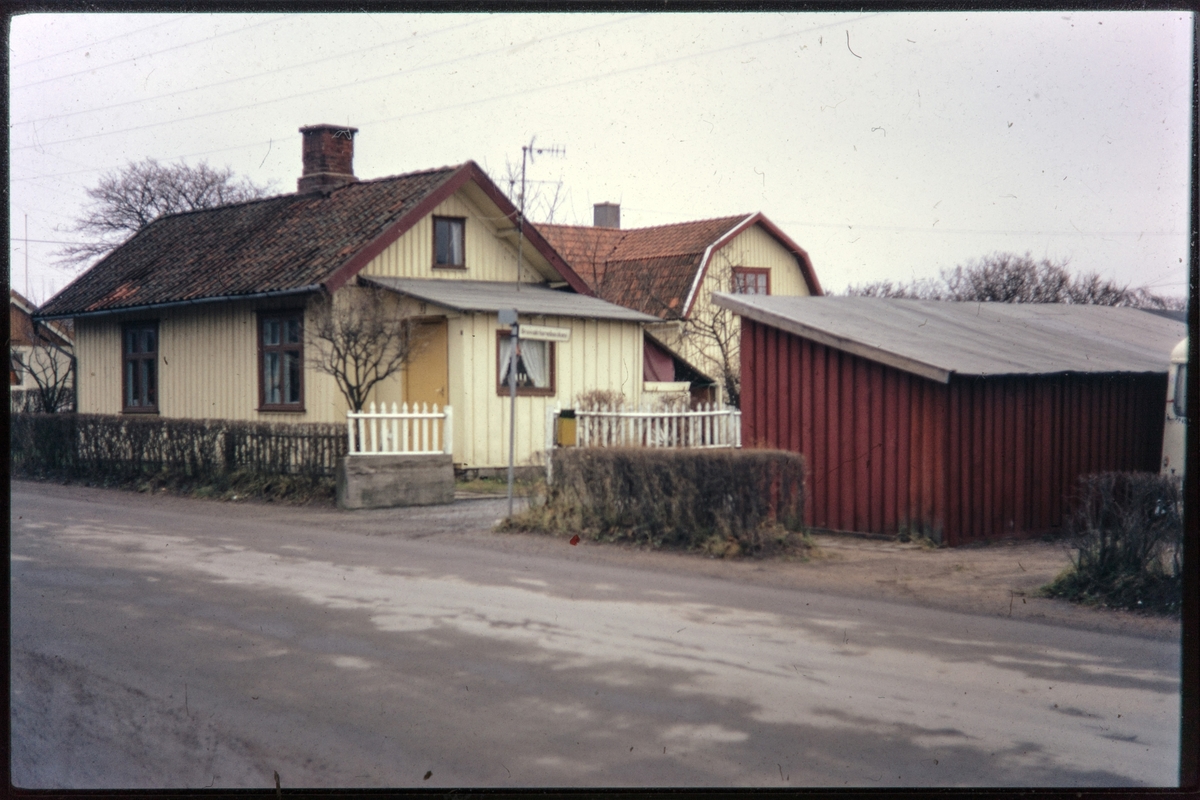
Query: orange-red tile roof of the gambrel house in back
{"points": [[647, 269]]}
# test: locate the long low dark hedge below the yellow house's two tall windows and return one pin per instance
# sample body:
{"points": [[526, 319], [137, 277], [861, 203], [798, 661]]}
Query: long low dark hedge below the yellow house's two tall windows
{"points": [[116, 449]]}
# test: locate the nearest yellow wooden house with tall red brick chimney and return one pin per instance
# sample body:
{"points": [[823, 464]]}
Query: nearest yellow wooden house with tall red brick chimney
{"points": [[203, 315]]}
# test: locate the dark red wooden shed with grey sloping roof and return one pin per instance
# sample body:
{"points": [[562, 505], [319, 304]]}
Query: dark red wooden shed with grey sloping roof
{"points": [[963, 422]]}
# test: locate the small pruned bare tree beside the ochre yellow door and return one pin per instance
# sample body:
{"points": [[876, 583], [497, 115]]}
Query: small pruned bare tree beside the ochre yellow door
{"points": [[361, 339]]}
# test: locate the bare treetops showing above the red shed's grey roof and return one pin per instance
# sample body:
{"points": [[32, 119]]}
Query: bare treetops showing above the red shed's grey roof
{"points": [[1007, 278]]}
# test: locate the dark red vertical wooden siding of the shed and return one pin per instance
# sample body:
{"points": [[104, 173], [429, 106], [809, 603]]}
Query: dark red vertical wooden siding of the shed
{"points": [[977, 459]]}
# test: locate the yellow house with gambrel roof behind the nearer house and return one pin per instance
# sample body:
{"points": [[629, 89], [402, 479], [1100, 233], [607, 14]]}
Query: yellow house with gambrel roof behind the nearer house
{"points": [[671, 273]]}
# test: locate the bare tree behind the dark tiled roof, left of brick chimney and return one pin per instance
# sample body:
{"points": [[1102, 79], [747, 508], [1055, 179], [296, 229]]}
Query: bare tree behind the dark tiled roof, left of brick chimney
{"points": [[127, 201]]}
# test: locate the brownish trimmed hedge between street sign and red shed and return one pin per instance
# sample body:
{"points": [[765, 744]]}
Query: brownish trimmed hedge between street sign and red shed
{"points": [[727, 502]]}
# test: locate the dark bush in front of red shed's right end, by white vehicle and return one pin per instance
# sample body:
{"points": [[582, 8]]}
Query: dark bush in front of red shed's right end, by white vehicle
{"points": [[1130, 533]]}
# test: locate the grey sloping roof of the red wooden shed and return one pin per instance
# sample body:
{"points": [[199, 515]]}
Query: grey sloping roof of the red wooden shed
{"points": [[938, 339]]}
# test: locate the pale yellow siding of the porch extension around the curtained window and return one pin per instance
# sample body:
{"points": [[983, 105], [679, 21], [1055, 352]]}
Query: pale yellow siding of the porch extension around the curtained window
{"points": [[599, 356]]}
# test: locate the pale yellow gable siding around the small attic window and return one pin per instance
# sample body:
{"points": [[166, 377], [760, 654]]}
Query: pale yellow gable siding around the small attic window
{"points": [[488, 257]]}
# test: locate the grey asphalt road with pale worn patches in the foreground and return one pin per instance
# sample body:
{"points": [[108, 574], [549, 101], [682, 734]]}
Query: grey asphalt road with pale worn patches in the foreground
{"points": [[164, 642]]}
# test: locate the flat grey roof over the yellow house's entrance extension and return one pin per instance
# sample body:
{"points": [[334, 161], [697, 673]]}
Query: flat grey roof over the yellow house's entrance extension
{"points": [[489, 297]]}
